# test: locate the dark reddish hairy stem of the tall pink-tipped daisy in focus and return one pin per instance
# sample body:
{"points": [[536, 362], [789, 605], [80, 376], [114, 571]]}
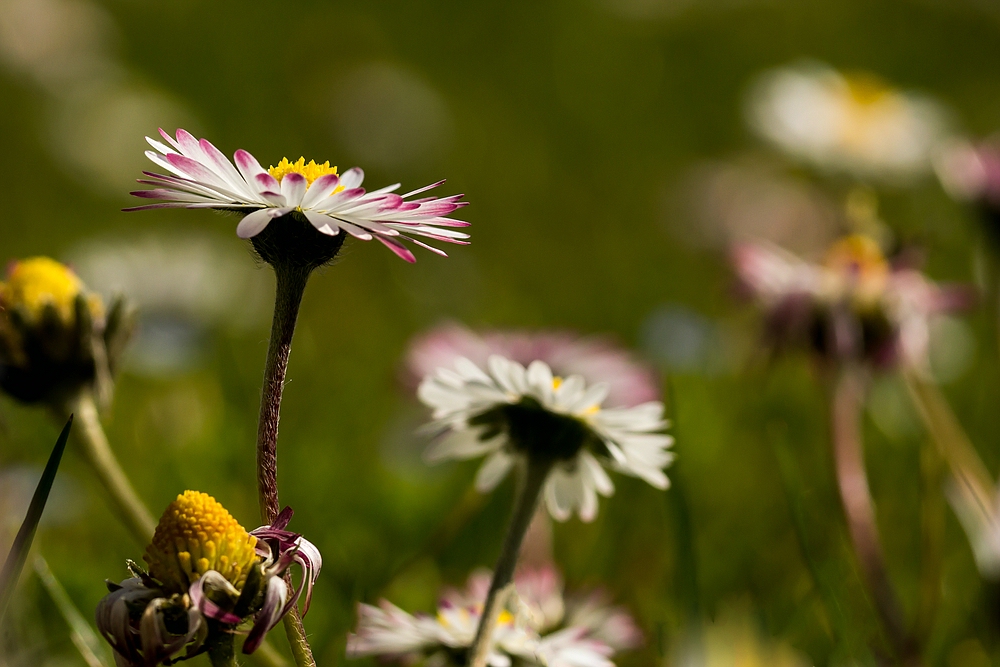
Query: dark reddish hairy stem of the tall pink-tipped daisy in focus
{"points": [[290, 286]]}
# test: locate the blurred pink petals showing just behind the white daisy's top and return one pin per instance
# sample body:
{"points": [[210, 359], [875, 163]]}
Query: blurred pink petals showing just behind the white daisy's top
{"points": [[629, 381]]}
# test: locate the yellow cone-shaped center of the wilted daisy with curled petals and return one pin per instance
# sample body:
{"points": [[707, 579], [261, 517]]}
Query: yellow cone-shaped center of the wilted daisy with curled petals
{"points": [[196, 534]]}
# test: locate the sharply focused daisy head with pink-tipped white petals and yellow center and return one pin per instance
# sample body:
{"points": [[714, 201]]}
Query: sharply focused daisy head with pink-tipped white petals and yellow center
{"points": [[200, 176]]}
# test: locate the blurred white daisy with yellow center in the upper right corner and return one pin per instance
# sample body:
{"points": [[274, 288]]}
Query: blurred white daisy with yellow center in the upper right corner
{"points": [[852, 123]]}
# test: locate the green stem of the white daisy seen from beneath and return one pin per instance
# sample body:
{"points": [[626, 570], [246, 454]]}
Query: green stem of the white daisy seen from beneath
{"points": [[534, 474]]}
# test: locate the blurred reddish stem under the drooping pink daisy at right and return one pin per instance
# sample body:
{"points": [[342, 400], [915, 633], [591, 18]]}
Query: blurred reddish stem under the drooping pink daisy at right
{"points": [[859, 511]]}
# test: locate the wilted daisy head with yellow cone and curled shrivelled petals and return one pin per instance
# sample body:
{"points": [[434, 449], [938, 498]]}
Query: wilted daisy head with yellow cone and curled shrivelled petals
{"points": [[208, 579]]}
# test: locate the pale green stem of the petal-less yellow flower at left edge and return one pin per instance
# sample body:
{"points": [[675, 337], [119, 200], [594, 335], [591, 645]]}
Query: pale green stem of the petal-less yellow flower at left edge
{"points": [[93, 444]]}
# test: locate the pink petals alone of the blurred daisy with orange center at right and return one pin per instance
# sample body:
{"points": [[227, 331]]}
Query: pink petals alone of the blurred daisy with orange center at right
{"points": [[791, 290]]}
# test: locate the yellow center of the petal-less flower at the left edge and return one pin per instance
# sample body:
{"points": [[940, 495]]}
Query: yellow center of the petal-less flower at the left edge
{"points": [[33, 284]]}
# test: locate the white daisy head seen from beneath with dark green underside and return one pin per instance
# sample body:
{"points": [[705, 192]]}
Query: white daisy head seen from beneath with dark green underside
{"points": [[509, 412]]}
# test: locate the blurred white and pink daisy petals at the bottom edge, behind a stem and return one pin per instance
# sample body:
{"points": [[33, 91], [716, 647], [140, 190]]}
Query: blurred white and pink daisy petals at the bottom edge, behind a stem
{"points": [[541, 628]]}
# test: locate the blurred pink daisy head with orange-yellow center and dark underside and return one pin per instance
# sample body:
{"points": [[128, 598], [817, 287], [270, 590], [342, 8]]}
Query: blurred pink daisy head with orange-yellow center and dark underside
{"points": [[852, 305]]}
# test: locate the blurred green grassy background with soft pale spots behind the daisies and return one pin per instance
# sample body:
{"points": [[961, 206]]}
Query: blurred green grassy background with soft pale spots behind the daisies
{"points": [[605, 149]]}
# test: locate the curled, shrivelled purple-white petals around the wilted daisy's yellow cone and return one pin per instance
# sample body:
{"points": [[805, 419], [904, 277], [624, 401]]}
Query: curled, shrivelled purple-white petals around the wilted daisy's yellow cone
{"points": [[146, 640]]}
